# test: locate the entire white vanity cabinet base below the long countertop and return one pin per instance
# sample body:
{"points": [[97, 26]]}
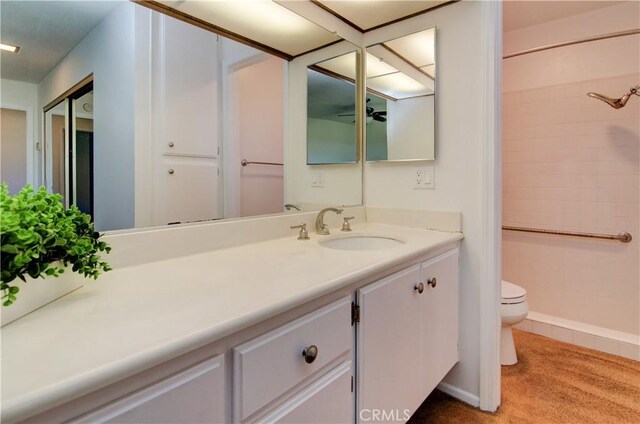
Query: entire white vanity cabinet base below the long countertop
{"points": [[371, 351]]}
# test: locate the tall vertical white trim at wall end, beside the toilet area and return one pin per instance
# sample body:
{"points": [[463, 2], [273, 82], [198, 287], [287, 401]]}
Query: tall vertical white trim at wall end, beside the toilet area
{"points": [[489, 360]]}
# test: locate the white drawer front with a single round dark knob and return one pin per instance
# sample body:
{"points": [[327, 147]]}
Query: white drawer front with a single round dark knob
{"points": [[267, 367]]}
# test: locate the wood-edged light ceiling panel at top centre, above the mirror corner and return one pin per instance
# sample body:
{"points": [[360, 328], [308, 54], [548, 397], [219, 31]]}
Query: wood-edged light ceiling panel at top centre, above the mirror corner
{"points": [[366, 15]]}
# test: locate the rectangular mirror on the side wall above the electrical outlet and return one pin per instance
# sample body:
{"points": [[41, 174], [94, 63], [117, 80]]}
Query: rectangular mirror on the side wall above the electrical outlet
{"points": [[400, 103]]}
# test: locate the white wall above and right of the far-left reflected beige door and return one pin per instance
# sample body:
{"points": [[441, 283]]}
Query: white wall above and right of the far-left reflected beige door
{"points": [[24, 96]]}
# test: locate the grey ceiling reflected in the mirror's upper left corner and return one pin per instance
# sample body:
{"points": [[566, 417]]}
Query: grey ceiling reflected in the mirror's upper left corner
{"points": [[45, 31]]}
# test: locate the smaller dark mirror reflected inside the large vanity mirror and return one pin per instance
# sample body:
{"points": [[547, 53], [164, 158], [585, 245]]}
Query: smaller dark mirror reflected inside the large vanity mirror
{"points": [[331, 111]]}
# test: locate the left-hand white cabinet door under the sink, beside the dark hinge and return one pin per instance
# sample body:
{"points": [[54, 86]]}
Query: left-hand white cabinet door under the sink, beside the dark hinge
{"points": [[389, 359]]}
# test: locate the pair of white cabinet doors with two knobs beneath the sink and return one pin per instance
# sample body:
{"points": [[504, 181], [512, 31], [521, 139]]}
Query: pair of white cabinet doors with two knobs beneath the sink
{"points": [[407, 336]]}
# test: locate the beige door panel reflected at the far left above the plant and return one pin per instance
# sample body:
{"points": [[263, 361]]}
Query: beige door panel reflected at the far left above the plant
{"points": [[13, 148]]}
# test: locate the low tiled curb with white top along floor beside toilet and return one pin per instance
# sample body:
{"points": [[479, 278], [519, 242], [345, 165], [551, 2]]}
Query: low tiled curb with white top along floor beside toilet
{"points": [[584, 335]]}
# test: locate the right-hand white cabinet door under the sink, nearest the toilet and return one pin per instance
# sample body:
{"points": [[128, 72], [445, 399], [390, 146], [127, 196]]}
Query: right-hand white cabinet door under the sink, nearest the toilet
{"points": [[440, 317]]}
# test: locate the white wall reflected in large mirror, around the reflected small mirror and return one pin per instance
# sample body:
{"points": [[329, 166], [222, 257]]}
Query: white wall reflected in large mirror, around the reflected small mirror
{"points": [[343, 182]]}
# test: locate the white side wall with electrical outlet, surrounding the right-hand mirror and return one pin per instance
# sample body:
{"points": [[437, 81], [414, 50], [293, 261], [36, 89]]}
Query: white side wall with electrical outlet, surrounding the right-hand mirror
{"points": [[459, 165]]}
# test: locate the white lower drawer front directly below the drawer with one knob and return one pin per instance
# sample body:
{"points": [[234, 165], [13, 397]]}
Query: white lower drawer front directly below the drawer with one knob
{"points": [[328, 400]]}
